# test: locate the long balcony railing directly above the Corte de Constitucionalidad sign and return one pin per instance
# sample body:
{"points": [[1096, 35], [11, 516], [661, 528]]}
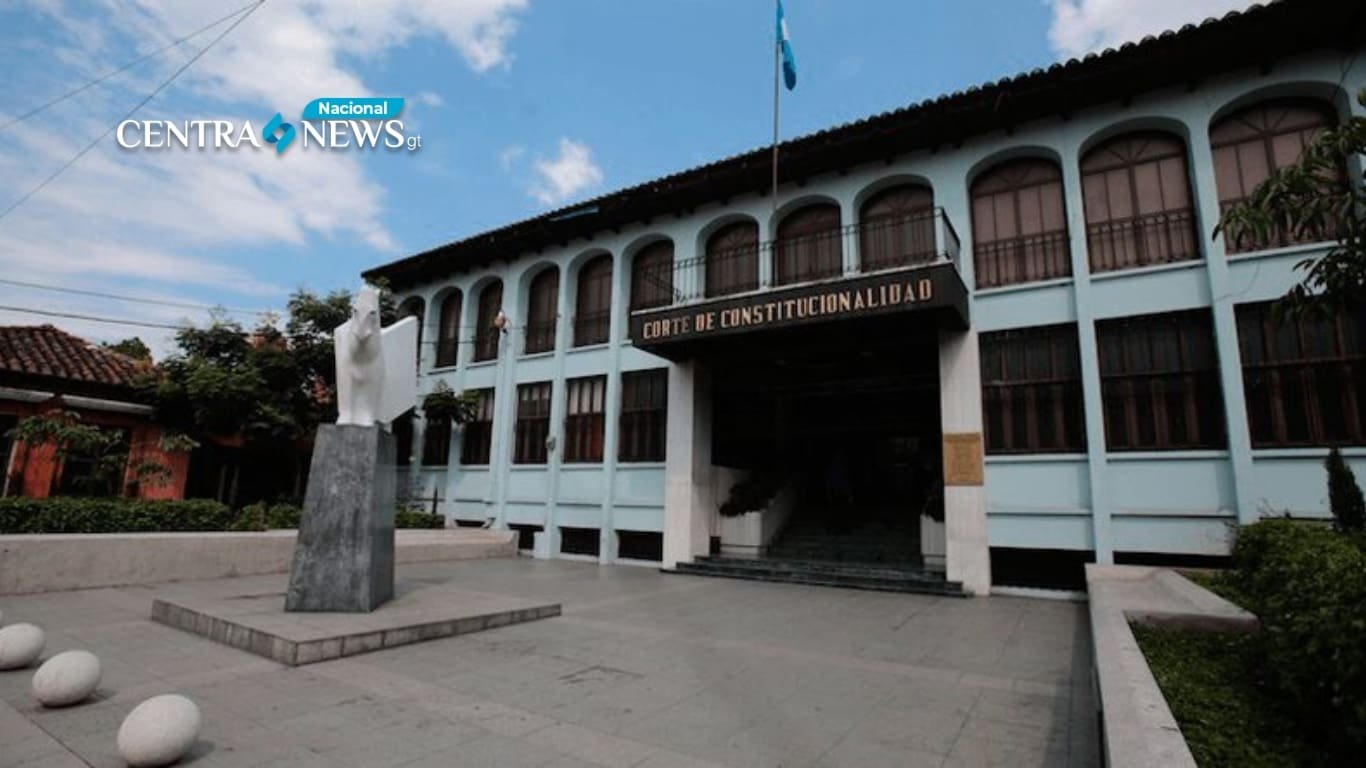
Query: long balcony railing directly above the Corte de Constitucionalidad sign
{"points": [[920, 238]]}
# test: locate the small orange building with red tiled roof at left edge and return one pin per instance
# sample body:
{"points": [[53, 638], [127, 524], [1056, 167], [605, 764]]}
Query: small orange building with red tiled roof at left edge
{"points": [[46, 370]]}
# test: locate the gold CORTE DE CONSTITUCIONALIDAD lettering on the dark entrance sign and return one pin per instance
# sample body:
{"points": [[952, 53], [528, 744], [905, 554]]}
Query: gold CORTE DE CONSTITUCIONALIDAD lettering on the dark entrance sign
{"points": [[830, 304]]}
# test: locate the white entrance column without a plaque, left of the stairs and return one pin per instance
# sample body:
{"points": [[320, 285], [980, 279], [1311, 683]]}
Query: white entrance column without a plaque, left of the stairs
{"points": [[688, 468]]}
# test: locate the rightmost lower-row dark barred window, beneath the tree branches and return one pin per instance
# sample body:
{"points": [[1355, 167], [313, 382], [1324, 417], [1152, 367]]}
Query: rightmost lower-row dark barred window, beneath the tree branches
{"points": [[1304, 378]]}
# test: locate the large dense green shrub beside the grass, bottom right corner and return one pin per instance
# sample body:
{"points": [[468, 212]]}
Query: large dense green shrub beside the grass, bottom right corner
{"points": [[1308, 586]]}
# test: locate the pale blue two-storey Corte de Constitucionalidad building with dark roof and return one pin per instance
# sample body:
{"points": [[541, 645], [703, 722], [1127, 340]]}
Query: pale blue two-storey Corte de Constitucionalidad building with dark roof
{"points": [[1018, 285]]}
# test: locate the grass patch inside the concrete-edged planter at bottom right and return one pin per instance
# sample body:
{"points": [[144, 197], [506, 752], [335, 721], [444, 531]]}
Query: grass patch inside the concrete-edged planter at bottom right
{"points": [[1227, 717]]}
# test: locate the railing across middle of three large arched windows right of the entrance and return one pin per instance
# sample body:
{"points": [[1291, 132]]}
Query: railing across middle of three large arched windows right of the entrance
{"points": [[1143, 241]]}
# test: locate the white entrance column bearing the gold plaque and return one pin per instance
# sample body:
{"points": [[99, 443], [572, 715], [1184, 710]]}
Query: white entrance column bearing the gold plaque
{"points": [[968, 560]]}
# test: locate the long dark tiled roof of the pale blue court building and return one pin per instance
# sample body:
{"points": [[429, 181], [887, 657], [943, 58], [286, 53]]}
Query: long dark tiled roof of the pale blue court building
{"points": [[1255, 38]]}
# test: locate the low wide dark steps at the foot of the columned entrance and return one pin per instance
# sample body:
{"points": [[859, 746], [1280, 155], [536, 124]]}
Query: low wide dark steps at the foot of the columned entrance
{"points": [[824, 575]]}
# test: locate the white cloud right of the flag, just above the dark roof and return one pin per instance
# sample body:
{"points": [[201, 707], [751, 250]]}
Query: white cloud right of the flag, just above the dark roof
{"points": [[1084, 27]]}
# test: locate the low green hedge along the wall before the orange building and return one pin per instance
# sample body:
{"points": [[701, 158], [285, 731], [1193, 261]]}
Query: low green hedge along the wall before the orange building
{"points": [[62, 515]]}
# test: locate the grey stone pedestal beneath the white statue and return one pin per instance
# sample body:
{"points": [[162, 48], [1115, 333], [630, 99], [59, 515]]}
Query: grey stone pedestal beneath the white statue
{"points": [[344, 560]]}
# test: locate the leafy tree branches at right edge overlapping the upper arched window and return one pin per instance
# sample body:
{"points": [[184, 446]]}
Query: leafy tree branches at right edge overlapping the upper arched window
{"points": [[1311, 199]]}
